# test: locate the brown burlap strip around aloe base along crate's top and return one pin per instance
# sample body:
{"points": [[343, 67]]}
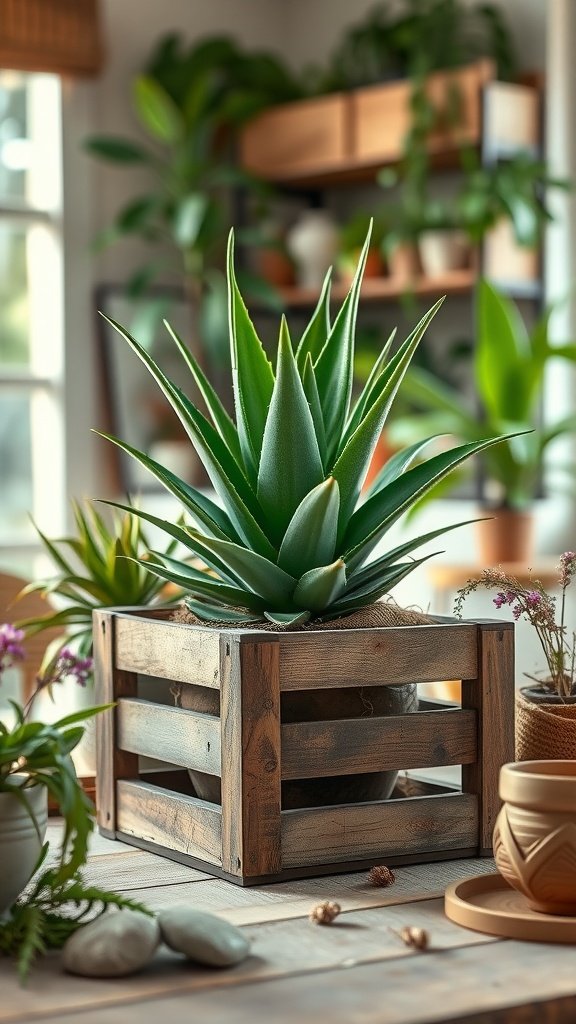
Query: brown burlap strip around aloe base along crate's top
{"points": [[374, 617]]}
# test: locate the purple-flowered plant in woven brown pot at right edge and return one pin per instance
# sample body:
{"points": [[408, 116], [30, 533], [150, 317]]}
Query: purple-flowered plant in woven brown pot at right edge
{"points": [[546, 712]]}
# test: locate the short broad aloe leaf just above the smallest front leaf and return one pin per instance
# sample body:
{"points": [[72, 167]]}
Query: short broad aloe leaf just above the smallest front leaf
{"points": [[311, 538]]}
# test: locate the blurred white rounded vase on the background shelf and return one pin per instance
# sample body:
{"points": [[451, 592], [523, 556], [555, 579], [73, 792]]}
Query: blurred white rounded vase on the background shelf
{"points": [[313, 244]]}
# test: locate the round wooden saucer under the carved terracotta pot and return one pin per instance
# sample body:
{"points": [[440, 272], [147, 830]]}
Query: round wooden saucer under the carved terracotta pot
{"points": [[487, 904]]}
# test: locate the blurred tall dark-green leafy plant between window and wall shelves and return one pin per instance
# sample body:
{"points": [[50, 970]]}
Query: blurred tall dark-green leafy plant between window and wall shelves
{"points": [[190, 101]]}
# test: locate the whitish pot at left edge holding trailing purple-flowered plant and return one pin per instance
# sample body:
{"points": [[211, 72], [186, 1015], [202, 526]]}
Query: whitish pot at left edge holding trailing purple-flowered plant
{"points": [[21, 843]]}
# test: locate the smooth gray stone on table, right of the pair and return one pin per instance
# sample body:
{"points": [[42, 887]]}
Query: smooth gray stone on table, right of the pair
{"points": [[203, 937]]}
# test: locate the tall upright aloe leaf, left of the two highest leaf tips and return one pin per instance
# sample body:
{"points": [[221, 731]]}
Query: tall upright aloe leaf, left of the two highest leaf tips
{"points": [[253, 373]]}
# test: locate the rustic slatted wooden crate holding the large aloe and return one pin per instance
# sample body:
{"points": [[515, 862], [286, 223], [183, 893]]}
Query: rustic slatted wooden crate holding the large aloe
{"points": [[250, 838]]}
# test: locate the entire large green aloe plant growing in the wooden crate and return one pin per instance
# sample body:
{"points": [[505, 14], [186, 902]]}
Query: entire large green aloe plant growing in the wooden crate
{"points": [[292, 540]]}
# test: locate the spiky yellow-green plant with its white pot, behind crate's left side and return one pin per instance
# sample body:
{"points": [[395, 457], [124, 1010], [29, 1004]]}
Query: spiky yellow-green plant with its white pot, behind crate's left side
{"points": [[97, 568]]}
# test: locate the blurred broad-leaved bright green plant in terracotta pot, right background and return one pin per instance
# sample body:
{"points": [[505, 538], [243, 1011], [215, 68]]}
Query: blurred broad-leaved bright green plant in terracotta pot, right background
{"points": [[510, 366]]}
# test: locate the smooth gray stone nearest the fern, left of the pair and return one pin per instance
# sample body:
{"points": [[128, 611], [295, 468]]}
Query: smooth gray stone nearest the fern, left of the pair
{"points": [[115, 945]]}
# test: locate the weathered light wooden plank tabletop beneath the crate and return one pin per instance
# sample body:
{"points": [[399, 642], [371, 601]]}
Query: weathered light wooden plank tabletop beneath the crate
{"points": [[357, 971]]}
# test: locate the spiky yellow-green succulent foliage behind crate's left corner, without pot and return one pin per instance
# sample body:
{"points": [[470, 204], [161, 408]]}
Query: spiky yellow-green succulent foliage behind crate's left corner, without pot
{"points": [[95, 570]]}
